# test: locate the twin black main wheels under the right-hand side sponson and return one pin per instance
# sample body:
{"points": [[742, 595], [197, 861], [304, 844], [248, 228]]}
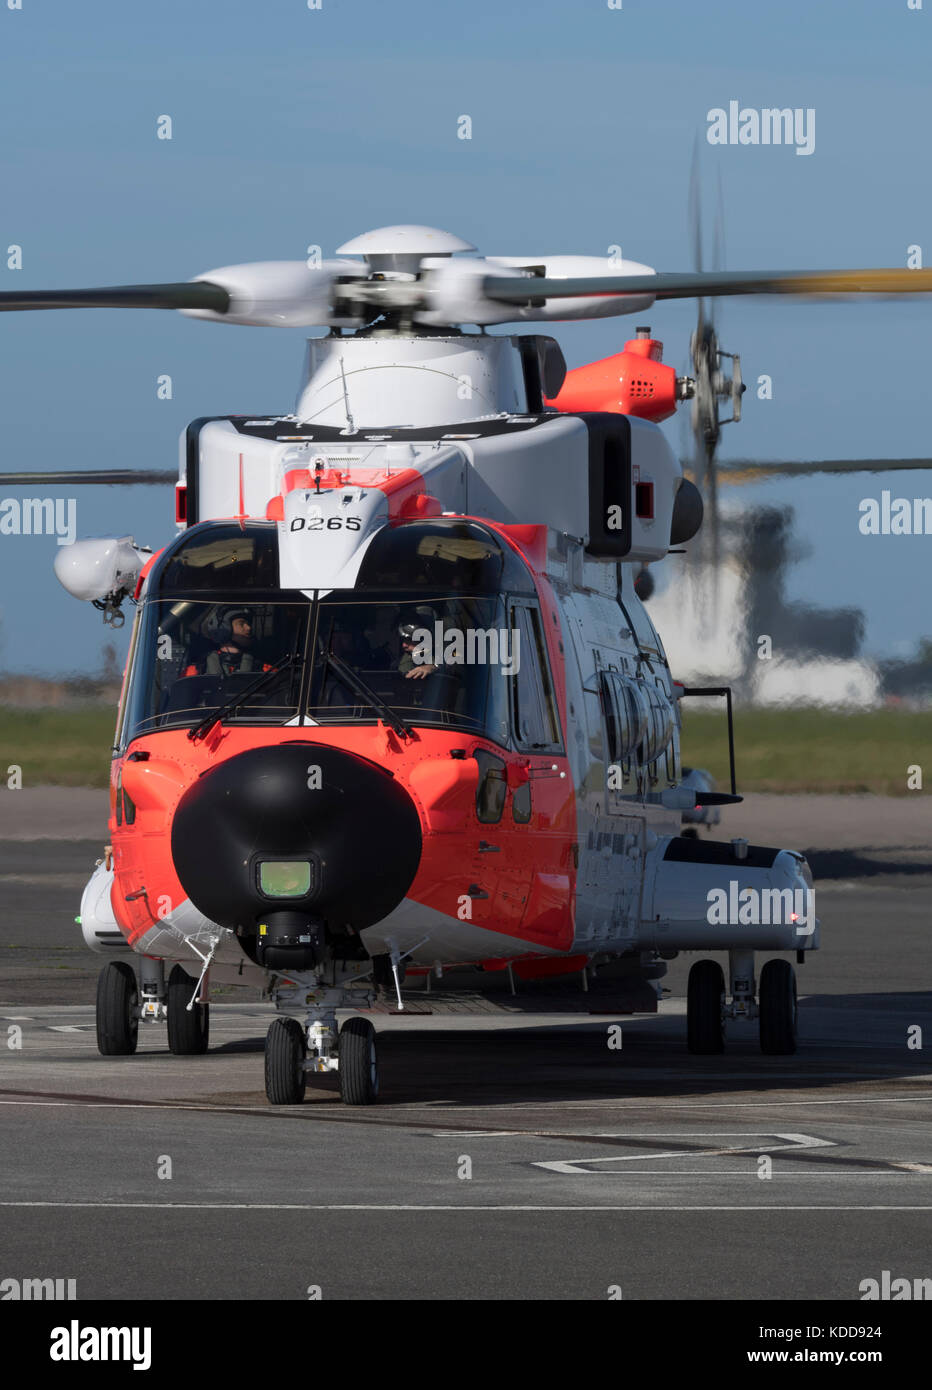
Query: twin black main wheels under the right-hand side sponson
{"points": [[774, 1007]]}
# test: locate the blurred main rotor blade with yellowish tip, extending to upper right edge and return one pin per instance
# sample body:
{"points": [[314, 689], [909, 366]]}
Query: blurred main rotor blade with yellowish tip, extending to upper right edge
{"points": [[688, 286]]}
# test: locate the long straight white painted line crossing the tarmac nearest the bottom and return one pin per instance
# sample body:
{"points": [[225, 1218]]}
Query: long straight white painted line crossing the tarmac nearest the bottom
{"points": [[484, 1207]]}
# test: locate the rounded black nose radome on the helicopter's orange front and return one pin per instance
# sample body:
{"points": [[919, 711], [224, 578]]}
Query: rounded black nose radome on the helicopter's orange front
{"points": [[297, 829]]}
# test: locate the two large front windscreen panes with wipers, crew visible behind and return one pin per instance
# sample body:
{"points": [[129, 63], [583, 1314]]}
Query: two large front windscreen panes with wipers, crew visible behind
{"points": [[435, 661]]}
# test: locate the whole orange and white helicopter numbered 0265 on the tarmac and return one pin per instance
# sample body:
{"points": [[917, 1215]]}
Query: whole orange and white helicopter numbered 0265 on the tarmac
{"points": [[392, 698]]}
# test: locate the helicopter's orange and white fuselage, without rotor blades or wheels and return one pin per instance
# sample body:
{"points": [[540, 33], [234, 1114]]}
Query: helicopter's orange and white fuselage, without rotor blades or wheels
{"points": [[372, 711]]}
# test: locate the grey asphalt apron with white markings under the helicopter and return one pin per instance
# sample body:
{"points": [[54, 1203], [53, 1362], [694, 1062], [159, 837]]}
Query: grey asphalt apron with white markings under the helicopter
{"points": [[508, 1159]]}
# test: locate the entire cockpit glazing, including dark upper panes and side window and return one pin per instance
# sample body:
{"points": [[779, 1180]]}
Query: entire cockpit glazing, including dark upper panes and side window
{"points": [[423, 637]]}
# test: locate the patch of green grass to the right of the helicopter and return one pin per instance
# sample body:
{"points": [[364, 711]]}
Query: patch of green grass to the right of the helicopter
{"points": [[809, 750]]}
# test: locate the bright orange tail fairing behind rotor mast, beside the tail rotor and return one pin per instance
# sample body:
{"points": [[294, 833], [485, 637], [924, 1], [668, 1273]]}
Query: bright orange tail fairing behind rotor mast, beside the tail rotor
{"points": [[633, 383]]}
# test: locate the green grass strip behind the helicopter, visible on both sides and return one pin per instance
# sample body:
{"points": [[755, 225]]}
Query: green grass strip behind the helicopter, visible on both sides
{"points": [[781, 751]]}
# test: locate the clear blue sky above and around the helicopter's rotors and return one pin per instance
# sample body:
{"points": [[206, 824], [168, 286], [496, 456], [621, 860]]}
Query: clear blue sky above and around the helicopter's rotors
{"points": [[298, 127]]}
